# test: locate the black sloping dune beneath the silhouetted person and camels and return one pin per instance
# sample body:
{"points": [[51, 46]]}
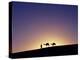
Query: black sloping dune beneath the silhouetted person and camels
{"points": [[49, 51]]}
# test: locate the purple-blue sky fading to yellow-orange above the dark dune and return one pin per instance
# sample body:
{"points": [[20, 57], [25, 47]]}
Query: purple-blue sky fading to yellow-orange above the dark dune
{"points": [[35, 24]]}
